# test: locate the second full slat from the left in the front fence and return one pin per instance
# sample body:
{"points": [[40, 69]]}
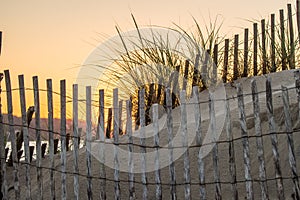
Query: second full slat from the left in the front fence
{"points": [[25, 135]]}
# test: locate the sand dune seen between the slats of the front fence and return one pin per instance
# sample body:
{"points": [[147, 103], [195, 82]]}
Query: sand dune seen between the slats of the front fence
{"points": [[285, 78]]}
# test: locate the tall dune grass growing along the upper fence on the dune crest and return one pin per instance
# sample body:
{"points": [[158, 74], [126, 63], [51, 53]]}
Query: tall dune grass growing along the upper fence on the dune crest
{"points": [[156, 58]]}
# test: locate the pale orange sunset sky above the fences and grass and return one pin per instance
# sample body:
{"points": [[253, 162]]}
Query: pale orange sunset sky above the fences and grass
{"points": [[52, 39]]}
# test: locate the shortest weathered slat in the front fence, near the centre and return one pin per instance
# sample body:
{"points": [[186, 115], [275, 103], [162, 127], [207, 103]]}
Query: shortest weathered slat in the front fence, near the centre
{"points": [[158, 191]]}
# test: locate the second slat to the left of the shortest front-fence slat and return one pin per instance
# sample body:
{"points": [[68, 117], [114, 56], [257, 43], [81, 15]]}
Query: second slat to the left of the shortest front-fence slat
{"points": [[130, 150]]}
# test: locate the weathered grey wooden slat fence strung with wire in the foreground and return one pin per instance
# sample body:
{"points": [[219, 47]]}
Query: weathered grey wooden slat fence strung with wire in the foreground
{"points": [[156, 188]]}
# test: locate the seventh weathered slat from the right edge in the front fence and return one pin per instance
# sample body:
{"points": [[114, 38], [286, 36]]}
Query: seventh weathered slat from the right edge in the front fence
{"points": [[212, 129]]}
